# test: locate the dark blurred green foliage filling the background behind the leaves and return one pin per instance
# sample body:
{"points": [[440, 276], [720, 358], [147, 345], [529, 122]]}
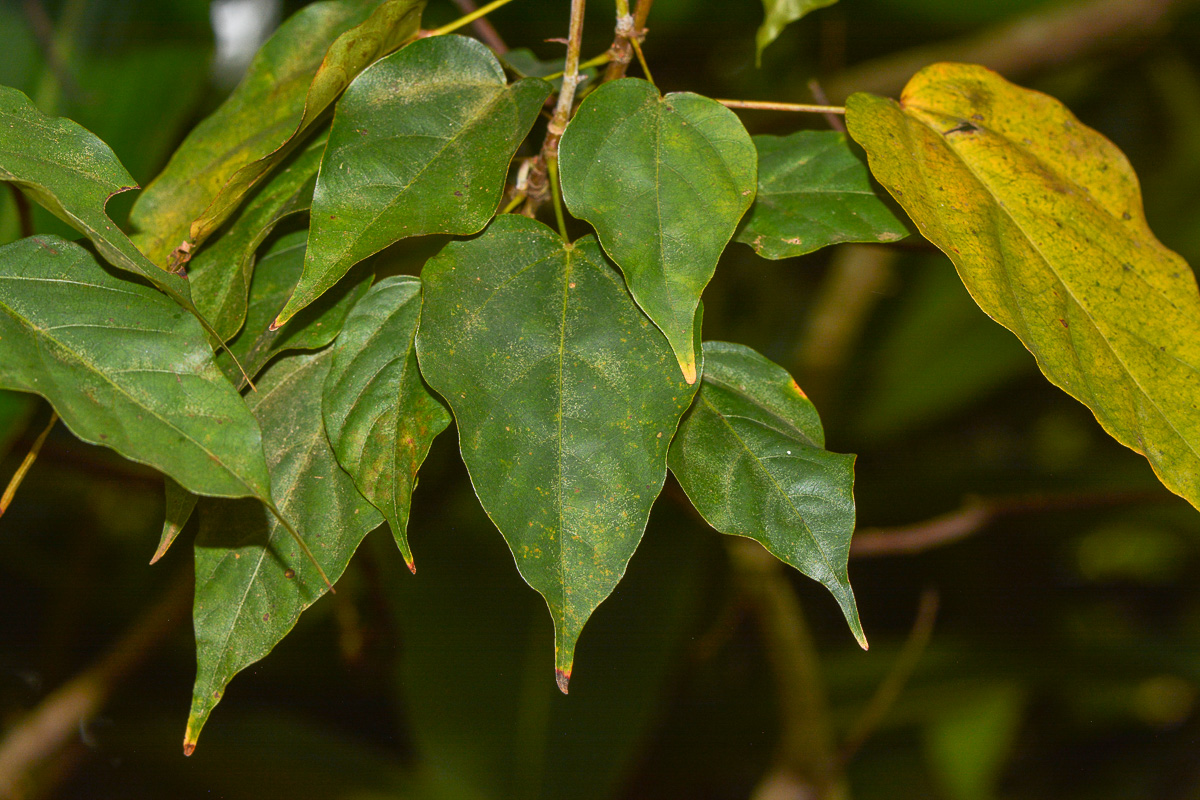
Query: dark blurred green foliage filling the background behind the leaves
{"points": [[1066, 661]]}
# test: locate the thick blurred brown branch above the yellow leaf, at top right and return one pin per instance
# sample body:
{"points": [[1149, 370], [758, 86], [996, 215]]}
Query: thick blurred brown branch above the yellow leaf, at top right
{"points": [[1029, 44]]}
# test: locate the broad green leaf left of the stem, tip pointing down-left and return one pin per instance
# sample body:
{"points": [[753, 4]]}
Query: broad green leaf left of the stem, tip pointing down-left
{"points": [[421, 145]]}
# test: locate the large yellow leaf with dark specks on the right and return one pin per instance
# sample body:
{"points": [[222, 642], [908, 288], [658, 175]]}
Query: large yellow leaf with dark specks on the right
{"points": [[1043, 219]]}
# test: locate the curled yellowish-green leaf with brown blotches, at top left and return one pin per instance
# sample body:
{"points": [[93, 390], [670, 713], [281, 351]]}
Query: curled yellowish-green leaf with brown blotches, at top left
{"points": [[297, 75]]}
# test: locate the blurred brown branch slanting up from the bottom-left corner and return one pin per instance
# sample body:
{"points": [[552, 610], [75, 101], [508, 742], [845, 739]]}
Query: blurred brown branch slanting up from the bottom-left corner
{"points": [[52, 726]]}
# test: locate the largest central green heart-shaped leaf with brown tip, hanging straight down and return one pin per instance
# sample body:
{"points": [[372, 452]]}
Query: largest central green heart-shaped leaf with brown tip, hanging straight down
{"points": [[566, 399]]}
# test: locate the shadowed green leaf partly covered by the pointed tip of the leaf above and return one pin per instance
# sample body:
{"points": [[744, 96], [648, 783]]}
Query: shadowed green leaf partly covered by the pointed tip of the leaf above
{"points": [[315, 328]]}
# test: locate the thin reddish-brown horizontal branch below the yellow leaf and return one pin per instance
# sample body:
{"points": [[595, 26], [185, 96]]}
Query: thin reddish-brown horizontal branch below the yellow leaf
{"points": [[977, 514]]}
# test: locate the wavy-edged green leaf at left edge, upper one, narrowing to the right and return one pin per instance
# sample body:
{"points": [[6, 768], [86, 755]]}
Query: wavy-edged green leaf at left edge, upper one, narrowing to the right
{"points": [[74, 175]]}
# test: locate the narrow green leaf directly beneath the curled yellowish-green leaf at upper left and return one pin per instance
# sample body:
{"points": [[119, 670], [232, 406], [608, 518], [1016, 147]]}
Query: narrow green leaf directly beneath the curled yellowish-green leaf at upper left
{"points": [[221, 273]]}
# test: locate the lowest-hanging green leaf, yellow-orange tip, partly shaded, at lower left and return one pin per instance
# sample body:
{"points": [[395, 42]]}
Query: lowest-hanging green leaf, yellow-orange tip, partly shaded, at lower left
{"points": [[253, 581]]}
